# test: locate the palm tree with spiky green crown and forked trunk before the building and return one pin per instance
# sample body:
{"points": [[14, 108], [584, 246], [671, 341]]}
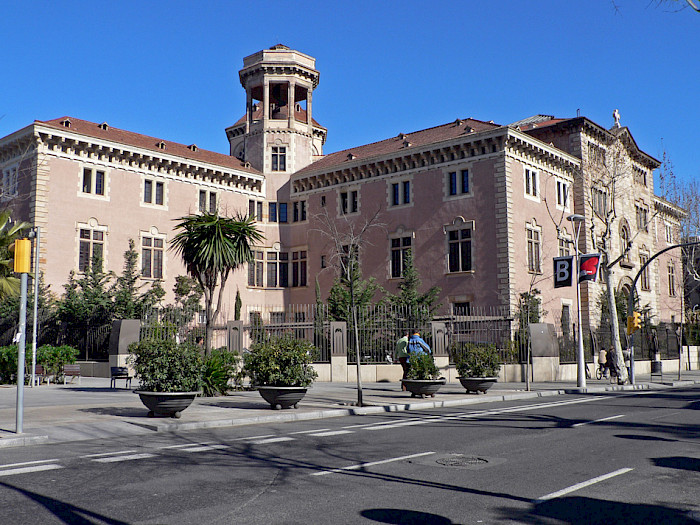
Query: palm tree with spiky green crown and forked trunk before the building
{"points": [[211, 246]]}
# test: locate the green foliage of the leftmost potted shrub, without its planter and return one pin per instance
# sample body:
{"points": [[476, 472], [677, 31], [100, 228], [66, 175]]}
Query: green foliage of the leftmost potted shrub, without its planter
{"points": [[164, 366]]}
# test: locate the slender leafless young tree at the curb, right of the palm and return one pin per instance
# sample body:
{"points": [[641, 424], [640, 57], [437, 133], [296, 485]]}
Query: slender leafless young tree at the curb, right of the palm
{"points": [[348, 238]]}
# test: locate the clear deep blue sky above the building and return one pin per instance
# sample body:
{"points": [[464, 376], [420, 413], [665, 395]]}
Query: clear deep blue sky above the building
{"points": [[170, 68]]}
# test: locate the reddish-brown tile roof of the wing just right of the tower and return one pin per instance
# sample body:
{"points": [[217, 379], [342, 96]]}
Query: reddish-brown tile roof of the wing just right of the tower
{"points": [[458, 128]]}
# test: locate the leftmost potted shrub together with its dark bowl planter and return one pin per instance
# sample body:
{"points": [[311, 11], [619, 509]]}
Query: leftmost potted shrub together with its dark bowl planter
{"points": [[170, 375]]}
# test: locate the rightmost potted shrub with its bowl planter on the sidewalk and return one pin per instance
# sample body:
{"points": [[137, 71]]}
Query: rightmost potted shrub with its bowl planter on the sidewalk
{"points": [[478, 366]]}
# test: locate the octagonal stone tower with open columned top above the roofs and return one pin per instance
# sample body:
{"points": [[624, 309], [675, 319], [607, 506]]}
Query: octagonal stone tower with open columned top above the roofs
{"points": [[278, 135]]}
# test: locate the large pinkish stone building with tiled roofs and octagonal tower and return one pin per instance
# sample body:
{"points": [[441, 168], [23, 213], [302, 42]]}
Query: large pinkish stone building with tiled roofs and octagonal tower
{"points": [[482, 206]]}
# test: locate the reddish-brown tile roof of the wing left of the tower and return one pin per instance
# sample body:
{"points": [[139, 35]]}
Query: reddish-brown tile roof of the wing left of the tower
{"points": [[128, 138]]}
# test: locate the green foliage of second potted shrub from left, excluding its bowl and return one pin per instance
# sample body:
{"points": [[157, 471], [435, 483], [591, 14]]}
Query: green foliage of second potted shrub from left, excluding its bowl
{"points": [[280, 361]]}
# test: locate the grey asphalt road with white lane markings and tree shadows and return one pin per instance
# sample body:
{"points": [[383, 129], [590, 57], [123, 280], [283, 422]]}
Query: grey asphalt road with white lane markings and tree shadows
{"points": [[597, 458]]}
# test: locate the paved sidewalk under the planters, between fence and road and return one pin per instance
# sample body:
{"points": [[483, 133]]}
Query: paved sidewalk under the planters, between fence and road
{"points": [[91, 410]]}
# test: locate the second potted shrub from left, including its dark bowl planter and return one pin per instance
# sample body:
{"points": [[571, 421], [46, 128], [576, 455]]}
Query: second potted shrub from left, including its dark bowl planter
{"points": [[280, 369]]}
